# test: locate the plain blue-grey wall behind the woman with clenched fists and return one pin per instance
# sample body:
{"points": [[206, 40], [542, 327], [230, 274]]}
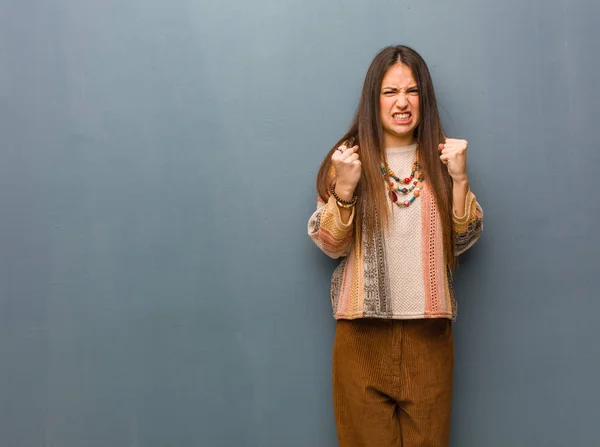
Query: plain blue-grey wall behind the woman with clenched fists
{"points": [[157, 167]]}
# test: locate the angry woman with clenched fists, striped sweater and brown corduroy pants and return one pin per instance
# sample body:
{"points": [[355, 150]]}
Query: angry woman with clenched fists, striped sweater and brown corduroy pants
{"points": [[398, 210]]}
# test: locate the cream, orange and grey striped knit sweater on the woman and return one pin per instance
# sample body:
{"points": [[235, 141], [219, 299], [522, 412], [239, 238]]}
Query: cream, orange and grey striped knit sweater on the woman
{"points": [[401, 273]]}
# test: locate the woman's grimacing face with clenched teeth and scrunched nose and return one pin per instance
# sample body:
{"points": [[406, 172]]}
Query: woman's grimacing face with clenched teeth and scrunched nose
{"points": [[399, 106]]}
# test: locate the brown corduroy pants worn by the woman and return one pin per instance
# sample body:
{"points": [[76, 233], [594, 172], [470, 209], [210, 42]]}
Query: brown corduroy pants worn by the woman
{"points": [[392, 382]]}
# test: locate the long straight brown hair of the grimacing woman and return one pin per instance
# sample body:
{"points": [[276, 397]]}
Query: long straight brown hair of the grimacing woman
{"points": [[367, 131]]}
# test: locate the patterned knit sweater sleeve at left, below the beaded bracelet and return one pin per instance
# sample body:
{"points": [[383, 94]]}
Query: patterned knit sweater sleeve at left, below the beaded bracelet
{"points": [[328, 232]]}
